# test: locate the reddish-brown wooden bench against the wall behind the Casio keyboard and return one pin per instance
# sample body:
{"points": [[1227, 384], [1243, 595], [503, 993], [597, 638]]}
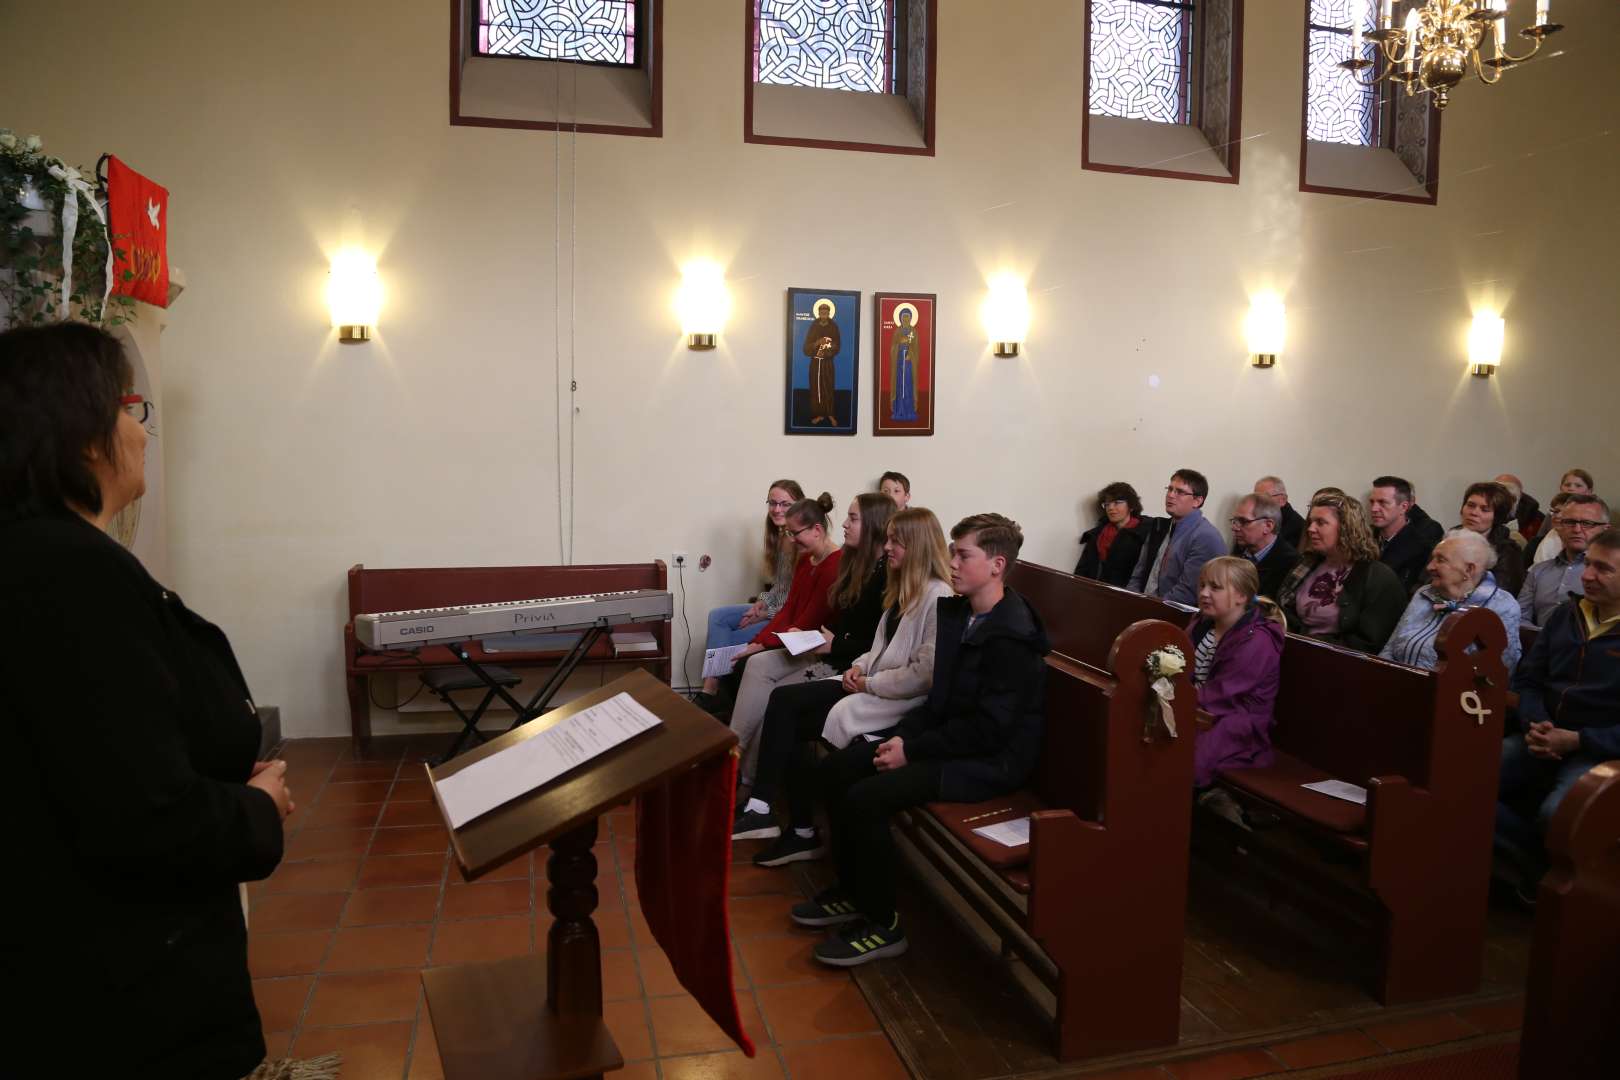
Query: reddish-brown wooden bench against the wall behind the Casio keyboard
{"points": [[443, 587]]}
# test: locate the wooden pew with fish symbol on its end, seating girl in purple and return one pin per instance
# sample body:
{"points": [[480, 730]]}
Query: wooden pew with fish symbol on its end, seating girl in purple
{"points": [[1430, 765]]}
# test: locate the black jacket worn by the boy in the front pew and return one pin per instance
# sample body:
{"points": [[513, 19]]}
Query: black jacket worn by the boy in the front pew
{"points": [[984, 716]]}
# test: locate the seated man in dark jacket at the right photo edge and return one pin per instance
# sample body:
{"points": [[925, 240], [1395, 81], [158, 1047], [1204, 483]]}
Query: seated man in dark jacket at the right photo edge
{"points": [[1569, 689]]}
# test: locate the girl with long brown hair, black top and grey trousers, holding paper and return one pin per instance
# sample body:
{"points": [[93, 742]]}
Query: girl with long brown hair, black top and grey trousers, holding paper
{"points": [[858, 602]]}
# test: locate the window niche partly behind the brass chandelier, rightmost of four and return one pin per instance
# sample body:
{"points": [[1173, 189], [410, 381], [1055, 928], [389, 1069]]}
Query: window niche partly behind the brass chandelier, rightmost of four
{"points": [[1373, 143]]}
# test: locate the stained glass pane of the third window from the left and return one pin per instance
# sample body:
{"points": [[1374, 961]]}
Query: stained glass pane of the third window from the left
{"points": [[1141, 59]]}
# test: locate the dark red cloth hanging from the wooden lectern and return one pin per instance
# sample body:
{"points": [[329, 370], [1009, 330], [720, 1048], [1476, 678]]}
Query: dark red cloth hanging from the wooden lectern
{"points": [[683, 865]]}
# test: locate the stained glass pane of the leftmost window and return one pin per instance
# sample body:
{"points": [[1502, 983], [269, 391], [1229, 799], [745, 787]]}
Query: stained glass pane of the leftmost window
{"points": [[594, 32]]}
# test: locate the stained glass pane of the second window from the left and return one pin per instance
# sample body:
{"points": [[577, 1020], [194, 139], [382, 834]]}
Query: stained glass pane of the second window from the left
{"points": [[827, 45]]}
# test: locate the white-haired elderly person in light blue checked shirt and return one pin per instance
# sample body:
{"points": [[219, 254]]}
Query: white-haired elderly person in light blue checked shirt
{"points": [[1459, 579]]}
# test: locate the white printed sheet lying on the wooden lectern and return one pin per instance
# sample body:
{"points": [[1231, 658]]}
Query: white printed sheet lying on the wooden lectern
{"points": [[519, 770]]}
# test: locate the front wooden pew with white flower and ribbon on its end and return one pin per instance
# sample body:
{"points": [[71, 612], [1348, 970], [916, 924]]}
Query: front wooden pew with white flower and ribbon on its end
{"points": [[1096, 903]]}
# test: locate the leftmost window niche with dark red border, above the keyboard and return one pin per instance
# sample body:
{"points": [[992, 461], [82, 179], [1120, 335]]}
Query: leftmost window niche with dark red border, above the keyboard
{"points": [[589, 66]]}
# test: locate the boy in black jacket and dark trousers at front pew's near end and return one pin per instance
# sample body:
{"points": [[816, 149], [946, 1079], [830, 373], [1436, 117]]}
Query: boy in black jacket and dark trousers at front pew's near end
{"points": [[974, 738]]}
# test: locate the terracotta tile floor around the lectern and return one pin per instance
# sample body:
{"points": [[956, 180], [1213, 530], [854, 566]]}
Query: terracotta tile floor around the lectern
{"points": [[367, 898]]}
